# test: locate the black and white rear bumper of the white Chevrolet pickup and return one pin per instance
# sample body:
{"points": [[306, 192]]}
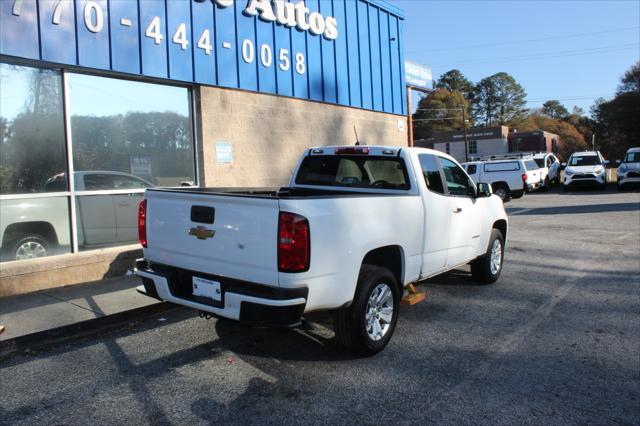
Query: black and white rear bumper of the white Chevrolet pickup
{"points": [[242, 301]]}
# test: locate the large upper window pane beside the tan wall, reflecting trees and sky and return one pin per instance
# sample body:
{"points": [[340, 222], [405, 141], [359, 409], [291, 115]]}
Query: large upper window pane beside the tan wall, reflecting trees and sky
{"points": [[139, 129]]}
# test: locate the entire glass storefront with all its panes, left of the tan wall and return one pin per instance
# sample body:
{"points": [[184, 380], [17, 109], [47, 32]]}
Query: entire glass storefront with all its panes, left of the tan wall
{"points": [[124, 136]]}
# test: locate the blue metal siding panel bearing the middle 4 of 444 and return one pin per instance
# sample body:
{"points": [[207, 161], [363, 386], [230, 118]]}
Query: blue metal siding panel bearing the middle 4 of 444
{"points": [[180, 60]]}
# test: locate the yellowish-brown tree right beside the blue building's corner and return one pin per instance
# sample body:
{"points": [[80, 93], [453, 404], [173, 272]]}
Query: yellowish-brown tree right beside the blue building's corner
{"points": [[439, 111]]}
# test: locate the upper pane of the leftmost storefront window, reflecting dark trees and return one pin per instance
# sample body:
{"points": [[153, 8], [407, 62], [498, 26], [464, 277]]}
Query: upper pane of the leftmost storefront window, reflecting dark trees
{"points": [[32, 139]]}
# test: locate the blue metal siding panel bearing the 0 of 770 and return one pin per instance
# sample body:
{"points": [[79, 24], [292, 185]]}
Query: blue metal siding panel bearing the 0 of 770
{"points": [[93, 47]]}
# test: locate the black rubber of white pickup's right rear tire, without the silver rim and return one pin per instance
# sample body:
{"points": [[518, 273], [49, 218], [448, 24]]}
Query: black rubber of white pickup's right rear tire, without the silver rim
{"points": [[350, 323]]}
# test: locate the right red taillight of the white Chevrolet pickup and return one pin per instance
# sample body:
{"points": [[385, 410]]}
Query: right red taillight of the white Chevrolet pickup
{"points": [[294, 248]]}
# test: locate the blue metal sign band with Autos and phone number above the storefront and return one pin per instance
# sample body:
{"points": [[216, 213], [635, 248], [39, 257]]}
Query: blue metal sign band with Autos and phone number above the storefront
{"points": [[293, 48]]}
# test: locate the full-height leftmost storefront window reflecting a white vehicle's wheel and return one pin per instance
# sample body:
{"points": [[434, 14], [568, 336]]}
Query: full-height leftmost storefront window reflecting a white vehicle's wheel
{"points": [[34, 214]]}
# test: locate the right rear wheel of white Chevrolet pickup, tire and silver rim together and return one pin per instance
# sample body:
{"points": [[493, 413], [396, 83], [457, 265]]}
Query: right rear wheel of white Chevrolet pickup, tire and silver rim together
{"points": [[367, 325]]}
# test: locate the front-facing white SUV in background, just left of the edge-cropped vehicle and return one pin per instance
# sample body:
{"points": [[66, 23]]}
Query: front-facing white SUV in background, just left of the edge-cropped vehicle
{"points": [[585, 168]]}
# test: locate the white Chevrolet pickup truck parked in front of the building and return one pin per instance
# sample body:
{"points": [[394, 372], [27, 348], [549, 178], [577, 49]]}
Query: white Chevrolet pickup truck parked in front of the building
{"points": [[355, 226]]}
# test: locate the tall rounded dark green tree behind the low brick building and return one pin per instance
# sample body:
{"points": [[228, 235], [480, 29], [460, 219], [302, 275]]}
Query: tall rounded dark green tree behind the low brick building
{"points": [[499, 99]]}
